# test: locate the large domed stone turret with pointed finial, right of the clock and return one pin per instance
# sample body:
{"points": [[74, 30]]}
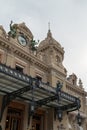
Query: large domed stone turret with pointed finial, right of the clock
{"points": [[51, 52]]}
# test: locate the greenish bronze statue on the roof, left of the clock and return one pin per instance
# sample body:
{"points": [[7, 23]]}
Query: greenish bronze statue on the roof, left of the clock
{"points": [[13, 30]]}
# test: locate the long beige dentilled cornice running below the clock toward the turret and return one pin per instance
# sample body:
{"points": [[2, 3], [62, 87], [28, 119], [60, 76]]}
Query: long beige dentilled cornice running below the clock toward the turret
{"points": [[22, 53]]}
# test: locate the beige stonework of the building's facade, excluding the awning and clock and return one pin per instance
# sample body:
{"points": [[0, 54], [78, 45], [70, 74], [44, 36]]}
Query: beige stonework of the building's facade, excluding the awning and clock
{"points": [[48, 64]]}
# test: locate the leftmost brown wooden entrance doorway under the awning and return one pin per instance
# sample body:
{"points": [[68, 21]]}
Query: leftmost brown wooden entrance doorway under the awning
{"points": [[15, 114]]}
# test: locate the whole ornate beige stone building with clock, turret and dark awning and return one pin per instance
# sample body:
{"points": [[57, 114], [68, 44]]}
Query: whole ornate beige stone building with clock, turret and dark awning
{"points": [[35, 92]]}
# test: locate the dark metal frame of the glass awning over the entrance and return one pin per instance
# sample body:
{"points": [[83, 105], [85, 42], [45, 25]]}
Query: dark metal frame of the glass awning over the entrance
{"points": [[33, 85]]}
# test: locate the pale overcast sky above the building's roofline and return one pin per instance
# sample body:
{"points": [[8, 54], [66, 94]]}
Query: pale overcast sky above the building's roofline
{"points": [[68, 24]]}
